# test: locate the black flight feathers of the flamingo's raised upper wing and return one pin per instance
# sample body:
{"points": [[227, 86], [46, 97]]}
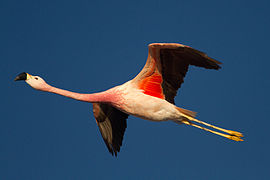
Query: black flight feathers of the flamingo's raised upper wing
{"points": [[175, 63]]}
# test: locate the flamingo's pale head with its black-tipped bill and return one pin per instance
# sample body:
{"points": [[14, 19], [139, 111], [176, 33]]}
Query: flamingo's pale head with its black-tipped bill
{"points": [[35, 82]]}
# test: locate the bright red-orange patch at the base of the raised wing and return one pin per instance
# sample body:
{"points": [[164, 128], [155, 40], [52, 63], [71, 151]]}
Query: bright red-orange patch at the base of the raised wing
{"points": [[152, 85]]}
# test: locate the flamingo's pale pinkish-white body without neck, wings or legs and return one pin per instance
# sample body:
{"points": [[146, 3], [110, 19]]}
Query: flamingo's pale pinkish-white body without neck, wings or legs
{"points": [[133, 101]]}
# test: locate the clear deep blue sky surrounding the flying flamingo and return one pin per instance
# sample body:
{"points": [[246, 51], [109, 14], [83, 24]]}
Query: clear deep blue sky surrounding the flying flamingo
{"points": [[90, 46]]}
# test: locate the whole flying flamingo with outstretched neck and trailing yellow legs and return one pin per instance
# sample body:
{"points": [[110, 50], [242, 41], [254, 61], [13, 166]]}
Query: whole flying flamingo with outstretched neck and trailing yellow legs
{"points": [[150, 95]]}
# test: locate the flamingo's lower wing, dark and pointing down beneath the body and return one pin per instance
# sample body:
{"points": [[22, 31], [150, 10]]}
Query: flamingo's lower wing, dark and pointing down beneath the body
{"points": [[112, 125]]}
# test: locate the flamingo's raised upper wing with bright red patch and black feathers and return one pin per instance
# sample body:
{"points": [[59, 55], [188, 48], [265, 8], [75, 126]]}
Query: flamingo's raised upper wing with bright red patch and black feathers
{"points": [[166, 67]]}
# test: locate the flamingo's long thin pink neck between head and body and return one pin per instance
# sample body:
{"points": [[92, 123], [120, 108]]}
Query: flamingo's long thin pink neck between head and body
{"points": [[95, 97]]}
